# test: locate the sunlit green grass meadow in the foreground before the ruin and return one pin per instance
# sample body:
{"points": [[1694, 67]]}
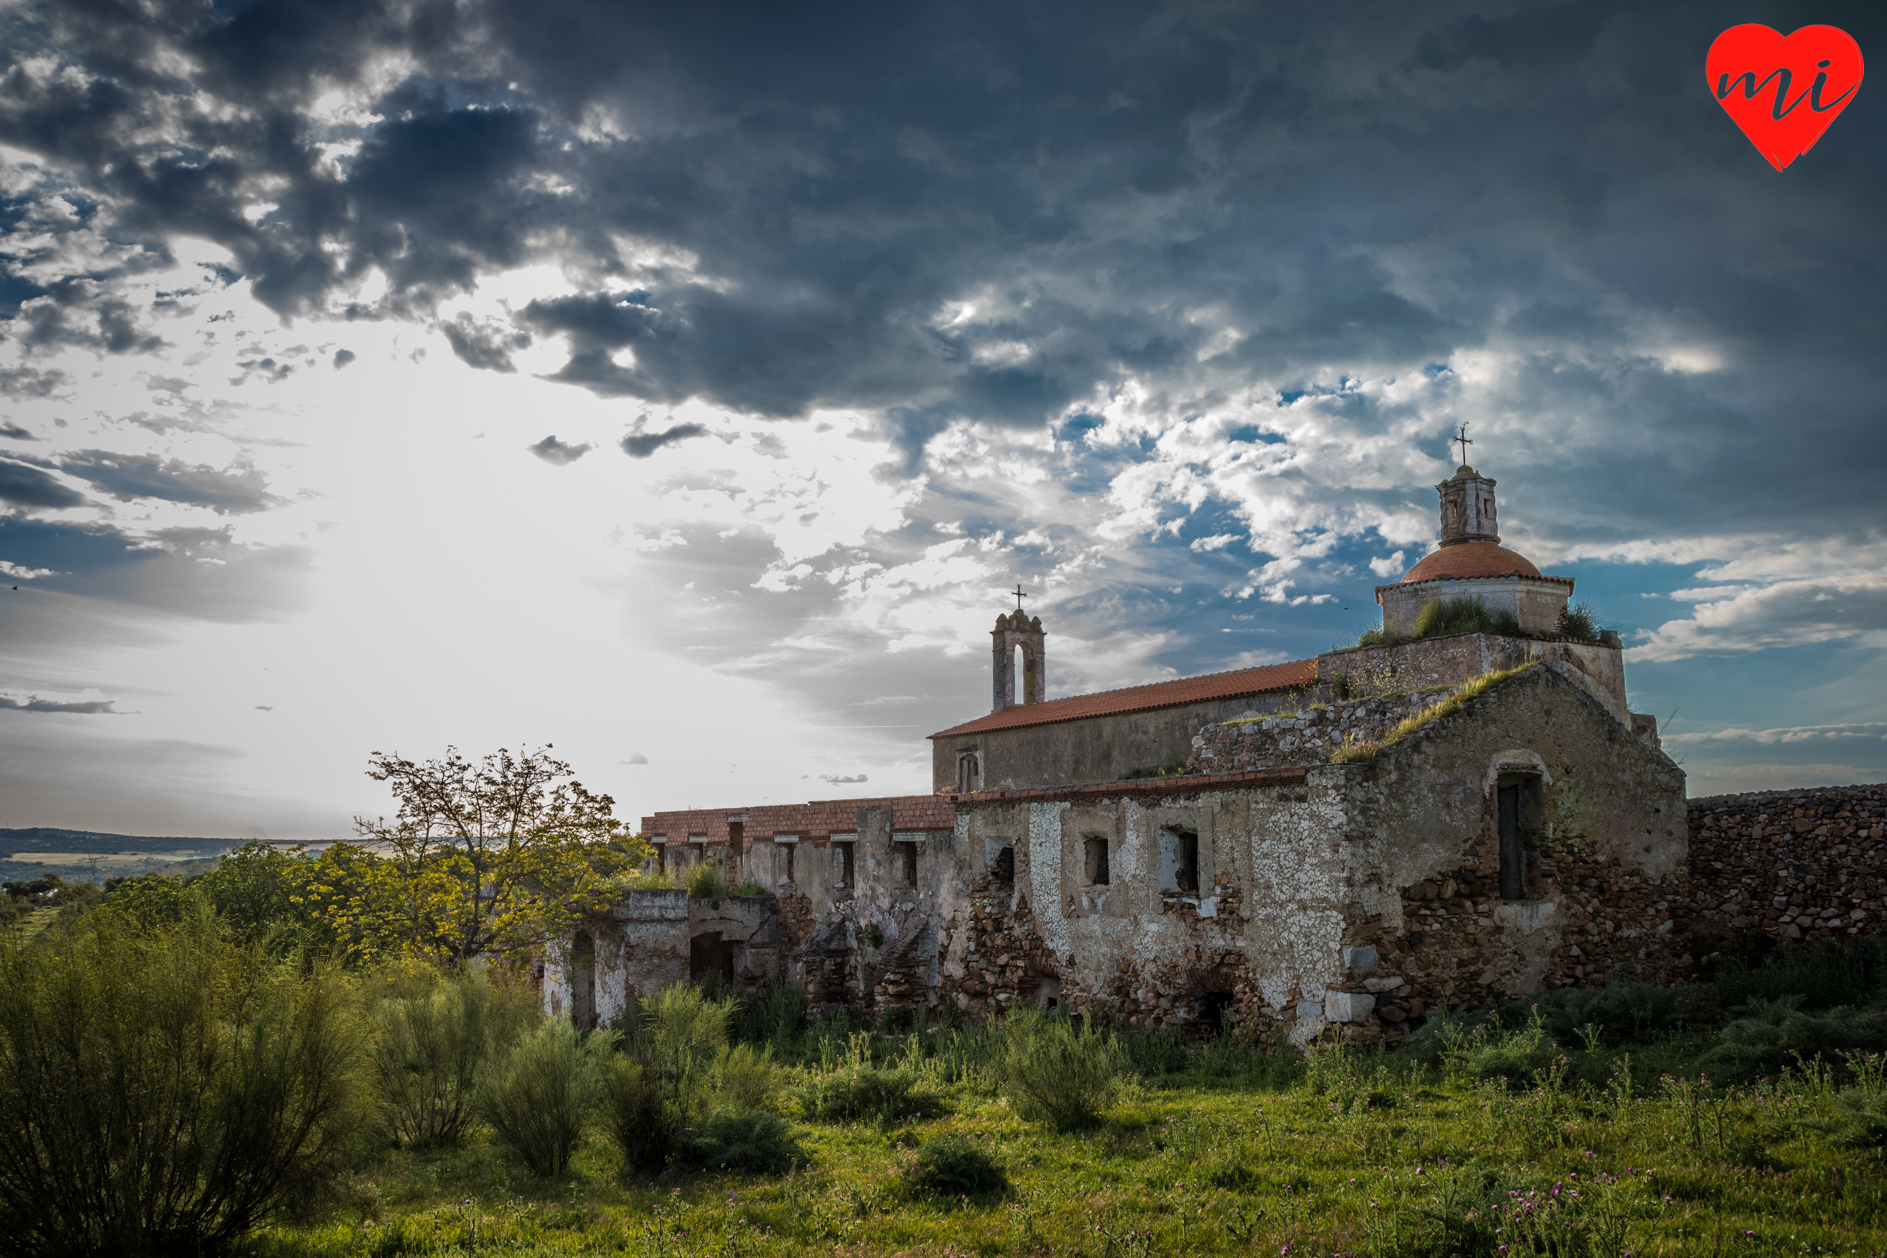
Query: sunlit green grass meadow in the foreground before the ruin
{"points": [[1363, 1155]]}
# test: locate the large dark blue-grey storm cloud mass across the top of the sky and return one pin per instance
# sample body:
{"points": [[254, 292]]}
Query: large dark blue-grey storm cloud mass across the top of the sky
{"points": [[1003, 214]]}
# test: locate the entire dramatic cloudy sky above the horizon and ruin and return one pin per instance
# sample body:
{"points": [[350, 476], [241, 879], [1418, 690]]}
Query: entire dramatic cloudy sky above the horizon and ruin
{"points": [[684, 384]]}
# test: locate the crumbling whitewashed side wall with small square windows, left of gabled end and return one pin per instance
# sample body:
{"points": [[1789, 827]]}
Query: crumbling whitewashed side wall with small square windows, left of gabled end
{"points": [[1261, 935]]}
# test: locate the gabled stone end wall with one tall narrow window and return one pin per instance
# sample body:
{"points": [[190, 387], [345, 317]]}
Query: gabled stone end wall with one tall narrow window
{"points": [[1609, 872]]}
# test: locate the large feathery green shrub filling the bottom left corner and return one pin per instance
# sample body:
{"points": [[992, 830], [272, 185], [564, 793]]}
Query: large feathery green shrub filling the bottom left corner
{"points": [[167, 1091]]}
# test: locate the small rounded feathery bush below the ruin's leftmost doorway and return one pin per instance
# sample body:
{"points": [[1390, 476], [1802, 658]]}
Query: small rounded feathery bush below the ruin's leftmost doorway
{"points": [[539, 1097]]}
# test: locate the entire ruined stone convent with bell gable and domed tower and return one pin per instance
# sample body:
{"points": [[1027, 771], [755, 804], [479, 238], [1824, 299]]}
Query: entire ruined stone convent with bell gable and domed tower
{"points": [[1343, 840]]}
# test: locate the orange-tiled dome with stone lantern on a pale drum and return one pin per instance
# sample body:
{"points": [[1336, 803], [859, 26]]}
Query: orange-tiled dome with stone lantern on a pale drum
{"points": [[1473, 563]]}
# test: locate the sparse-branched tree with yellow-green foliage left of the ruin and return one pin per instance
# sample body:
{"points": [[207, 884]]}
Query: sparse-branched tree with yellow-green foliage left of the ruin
{"points": [[480, 861]]}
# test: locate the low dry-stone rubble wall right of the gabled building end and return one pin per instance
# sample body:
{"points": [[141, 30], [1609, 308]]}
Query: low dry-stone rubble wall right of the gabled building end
{"points": [[1794, 865]]}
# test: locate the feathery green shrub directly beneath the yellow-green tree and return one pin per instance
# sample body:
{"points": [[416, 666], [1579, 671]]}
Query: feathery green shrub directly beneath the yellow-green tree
{"points": [[429, 1048]]}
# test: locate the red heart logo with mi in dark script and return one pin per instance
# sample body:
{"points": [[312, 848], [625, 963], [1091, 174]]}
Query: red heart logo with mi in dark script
{"points": [[1784, 91]]}
